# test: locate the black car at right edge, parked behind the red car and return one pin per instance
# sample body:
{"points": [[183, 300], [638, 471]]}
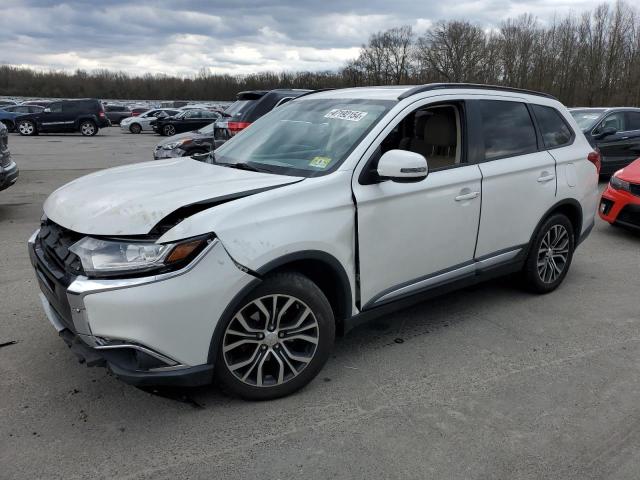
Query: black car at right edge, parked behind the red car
{"points": [[615, 131]]}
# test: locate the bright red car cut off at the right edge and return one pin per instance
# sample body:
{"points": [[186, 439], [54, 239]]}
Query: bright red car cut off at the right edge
{"points": [[620, 202]]}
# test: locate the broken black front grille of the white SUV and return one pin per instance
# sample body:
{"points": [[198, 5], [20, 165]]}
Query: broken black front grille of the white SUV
{"points": [[55, 242]]}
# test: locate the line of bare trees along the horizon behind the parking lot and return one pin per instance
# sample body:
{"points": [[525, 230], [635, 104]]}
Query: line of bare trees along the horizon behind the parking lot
{"points": [[588, 59]]}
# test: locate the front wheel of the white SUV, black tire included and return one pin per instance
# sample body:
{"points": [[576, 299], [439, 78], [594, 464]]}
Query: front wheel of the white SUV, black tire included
{"points": [[278, 340]]}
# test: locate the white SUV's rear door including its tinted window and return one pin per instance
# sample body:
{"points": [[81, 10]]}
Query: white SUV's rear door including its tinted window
{"points": [[518, 176]]}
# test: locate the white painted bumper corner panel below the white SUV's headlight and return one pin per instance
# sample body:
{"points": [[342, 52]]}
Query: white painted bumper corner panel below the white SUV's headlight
{"points": [[175, 317]]}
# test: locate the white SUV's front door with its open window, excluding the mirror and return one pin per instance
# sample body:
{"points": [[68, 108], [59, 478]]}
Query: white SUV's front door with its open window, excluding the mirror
{"points": [[413, 236]]}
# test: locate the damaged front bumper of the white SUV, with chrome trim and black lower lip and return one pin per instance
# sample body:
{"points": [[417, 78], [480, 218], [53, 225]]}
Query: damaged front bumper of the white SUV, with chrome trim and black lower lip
{"points": [[130, 325]]}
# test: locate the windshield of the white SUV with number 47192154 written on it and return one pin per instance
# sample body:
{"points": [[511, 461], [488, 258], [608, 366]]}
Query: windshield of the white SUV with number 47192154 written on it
{"points": [[304, 138]]}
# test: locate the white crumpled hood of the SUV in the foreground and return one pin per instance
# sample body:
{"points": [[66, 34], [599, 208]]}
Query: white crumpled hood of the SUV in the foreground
{"points": [[131, 200]]}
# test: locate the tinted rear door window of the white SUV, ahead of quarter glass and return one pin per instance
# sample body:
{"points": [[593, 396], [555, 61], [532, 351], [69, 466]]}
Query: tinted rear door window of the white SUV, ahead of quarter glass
{"points": [[508, 130]]}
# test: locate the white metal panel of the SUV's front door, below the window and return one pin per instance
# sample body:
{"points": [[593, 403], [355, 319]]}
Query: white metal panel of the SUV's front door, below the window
{"points": [[411, 230]]}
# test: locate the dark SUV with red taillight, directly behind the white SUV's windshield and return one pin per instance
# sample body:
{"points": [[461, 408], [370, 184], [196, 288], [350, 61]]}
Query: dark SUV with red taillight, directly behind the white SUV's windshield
{"points": [[249, 107]]}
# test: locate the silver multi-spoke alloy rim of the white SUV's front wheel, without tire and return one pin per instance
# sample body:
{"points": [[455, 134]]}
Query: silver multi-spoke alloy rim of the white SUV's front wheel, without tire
{"points": [[270, 341]]}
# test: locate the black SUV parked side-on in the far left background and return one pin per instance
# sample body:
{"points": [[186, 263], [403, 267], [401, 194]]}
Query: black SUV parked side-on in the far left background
{"points": [[86, 116]]}
